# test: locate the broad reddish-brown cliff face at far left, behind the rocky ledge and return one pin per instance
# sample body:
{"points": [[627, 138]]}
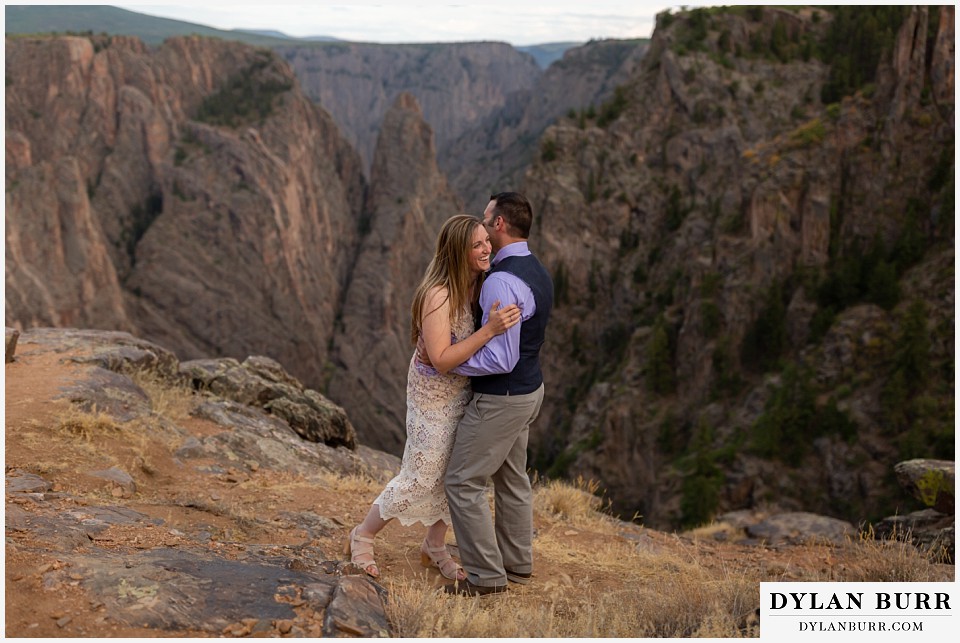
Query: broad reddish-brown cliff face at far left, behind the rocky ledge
{"points": [[189, 193]]}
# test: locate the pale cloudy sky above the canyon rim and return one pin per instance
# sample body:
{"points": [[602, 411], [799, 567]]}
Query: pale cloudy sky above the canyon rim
{"points": [[518, 22]]}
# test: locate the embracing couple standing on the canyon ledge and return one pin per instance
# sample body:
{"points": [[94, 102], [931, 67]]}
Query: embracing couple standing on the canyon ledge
{"points": [[474, 386]]}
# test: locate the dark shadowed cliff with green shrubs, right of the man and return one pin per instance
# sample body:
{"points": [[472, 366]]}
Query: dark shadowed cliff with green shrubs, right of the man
{"points": [[695, 240]]}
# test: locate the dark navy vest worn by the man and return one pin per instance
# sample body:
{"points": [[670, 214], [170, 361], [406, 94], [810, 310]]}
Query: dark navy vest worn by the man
{"points": [[526, 377]]}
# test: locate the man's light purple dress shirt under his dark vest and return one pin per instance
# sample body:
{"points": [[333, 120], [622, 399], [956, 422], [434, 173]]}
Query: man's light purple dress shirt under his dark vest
{"points": [[501, 354]]}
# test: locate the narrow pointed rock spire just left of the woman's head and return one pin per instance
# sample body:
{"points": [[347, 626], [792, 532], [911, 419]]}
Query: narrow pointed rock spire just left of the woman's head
{"points": [[409, 201]]}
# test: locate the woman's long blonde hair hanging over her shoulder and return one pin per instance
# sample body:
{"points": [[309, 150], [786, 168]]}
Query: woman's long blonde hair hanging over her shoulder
{"points": [[450, 270]]}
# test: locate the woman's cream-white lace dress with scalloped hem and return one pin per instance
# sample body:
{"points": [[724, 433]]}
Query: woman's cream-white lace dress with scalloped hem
{"points": [[435, 404]]}
